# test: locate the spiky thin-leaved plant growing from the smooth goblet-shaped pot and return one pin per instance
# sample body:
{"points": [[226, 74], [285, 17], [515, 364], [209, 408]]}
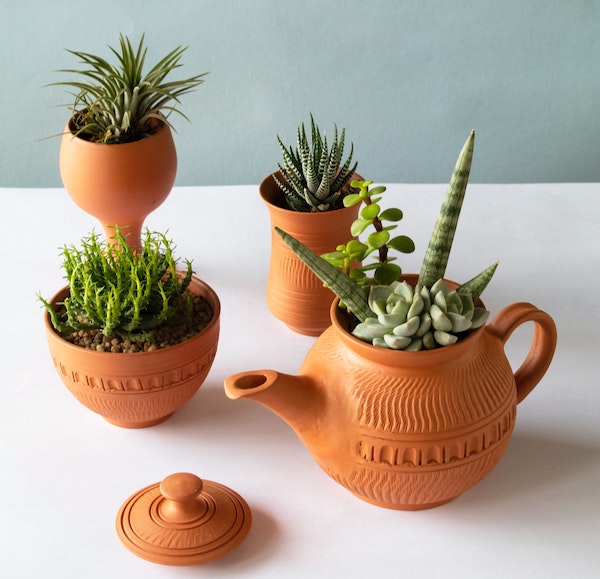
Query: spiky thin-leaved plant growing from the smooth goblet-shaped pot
{"points": [[120, 103]]}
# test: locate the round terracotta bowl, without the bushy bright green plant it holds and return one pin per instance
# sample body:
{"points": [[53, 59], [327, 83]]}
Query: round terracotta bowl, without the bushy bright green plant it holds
{"points": [[139, 389]]}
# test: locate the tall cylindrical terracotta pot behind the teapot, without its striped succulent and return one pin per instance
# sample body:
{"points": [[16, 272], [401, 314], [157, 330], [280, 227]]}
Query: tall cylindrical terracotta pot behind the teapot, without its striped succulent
{"points": [[294, 294]]}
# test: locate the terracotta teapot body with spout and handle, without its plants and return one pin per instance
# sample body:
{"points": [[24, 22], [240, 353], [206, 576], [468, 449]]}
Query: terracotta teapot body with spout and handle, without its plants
{"points": [[406, 430]]}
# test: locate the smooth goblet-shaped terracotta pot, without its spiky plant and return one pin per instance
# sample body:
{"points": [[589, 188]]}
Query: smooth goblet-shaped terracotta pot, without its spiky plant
{"points": [[119, 184]]}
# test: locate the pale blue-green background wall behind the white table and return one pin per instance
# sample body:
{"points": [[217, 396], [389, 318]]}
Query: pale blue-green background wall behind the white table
{"points": [[407, 79]]}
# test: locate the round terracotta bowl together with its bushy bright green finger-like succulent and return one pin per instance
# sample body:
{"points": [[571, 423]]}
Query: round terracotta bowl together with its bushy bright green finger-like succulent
{"points": [[131, 336]]}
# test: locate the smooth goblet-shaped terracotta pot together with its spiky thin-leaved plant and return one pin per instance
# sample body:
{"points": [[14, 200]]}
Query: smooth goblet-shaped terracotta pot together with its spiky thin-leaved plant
{"points": [[121, 104]]}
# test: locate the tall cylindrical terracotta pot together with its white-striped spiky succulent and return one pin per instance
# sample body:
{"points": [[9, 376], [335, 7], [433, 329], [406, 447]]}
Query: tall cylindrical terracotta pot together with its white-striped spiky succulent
{"points": [[305, 197]]}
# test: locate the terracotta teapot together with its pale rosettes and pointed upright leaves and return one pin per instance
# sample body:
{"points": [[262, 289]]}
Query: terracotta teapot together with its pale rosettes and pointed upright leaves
{"points": [[408, 399]]}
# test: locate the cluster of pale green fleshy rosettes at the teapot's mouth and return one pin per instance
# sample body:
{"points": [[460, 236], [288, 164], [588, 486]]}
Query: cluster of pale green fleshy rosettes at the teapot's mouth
{"points": [[419, 318]]}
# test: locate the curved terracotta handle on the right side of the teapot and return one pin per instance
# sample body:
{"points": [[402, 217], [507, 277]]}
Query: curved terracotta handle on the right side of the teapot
{"points": [[542, 347]]}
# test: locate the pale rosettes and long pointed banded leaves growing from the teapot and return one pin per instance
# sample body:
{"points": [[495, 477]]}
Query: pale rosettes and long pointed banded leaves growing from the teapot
{"points": [[430, 315]]}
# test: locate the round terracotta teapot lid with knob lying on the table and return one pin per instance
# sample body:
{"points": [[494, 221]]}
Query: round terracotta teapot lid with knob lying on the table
{"points": [[183, 520]]}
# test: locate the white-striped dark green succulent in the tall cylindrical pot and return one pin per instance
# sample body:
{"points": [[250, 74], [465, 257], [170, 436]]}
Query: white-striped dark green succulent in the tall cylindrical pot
{"points": [[314, 179]]}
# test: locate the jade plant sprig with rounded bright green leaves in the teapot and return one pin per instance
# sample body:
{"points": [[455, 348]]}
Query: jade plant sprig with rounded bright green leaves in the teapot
{"points": [[352, 257]]}
